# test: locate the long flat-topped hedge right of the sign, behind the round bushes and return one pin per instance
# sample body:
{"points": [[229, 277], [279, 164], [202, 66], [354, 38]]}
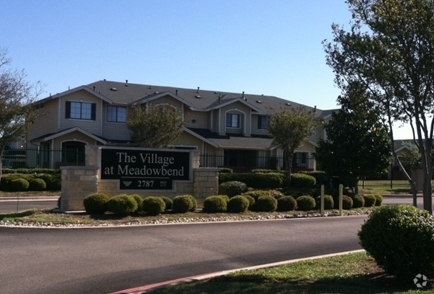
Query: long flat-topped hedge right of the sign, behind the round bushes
{"points": [[255, 180]]}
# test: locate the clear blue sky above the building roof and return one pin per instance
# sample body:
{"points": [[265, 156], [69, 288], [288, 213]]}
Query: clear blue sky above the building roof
{"points": [[270, 47]]}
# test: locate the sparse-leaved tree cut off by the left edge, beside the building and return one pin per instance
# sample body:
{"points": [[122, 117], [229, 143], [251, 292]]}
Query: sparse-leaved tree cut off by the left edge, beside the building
{"points": [[16, 111]]}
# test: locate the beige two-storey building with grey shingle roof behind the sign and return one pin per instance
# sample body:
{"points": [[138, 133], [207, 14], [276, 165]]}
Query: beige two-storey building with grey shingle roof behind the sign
{"points": [[227, 129]]}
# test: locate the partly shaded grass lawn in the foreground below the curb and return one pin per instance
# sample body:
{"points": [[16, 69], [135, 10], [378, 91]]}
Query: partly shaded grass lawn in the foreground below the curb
{"points": [[350, 273]]}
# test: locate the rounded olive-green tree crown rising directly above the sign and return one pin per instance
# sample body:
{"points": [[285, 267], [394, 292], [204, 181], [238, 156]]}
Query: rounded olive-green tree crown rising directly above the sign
{"points": [[155, 126]]}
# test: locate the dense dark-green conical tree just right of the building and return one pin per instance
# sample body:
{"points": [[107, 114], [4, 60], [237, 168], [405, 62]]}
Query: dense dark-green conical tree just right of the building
{"points": [[357, 142]]}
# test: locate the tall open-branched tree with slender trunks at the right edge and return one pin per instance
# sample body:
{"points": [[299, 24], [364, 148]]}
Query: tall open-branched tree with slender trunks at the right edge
{"points": [[390, 51]]}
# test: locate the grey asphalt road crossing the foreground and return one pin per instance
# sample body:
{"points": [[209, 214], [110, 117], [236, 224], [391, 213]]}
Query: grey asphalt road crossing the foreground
{"points": [[104, 260]]}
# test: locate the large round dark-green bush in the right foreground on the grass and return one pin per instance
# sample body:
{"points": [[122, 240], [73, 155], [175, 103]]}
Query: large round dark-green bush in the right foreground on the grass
{"points": [[400, 239]]}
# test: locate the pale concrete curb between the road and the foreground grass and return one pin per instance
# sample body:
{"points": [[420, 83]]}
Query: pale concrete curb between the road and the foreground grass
{"points": [[147, 288]]}
